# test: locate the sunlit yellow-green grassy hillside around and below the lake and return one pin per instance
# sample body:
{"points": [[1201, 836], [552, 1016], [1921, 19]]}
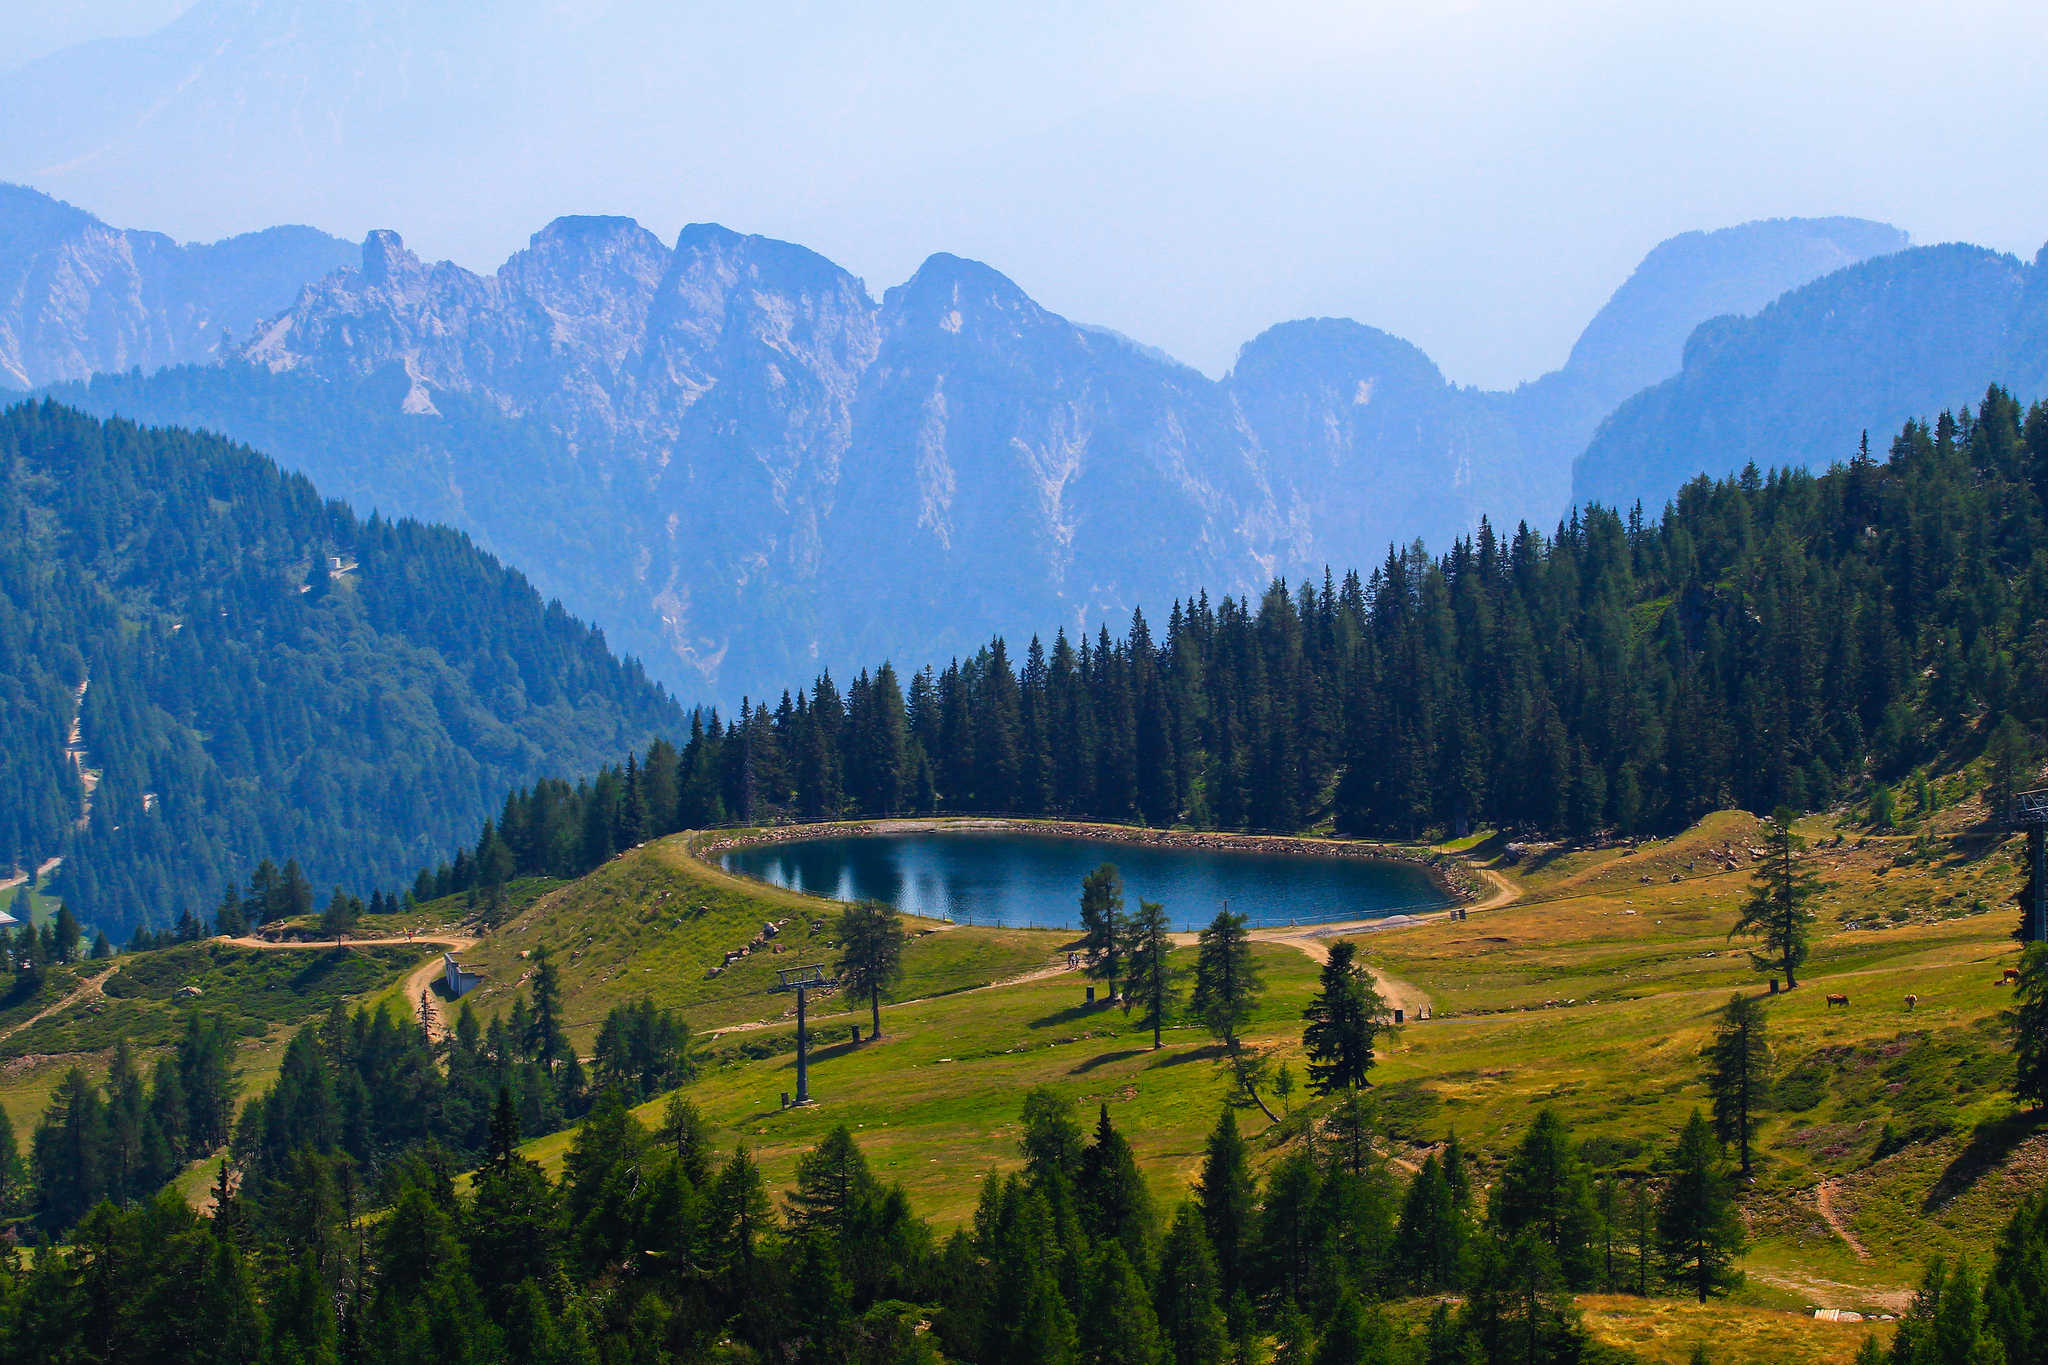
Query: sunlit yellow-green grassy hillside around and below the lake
{"points": [[1594, 994]]}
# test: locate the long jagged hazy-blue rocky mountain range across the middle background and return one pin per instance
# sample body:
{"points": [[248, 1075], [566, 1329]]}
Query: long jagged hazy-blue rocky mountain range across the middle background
{"points": [[746, 468]]}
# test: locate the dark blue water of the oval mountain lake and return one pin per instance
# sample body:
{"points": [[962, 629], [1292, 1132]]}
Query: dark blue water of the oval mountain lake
{"points": [[1035, 881]]}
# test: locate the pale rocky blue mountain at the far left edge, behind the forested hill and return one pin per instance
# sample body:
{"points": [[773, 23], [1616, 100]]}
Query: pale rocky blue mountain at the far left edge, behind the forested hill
{"points": [[81, 298]]}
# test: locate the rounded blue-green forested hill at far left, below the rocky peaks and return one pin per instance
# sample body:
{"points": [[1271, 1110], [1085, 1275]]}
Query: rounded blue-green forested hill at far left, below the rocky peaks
{"points": [[241, 703]]}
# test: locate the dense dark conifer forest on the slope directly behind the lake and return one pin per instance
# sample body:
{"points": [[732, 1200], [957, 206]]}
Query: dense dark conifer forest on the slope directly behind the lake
{"points": [[1773, 640]]}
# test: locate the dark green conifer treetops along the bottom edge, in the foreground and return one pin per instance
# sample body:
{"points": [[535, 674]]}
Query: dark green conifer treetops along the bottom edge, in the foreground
{"points": [[650, 1247]]}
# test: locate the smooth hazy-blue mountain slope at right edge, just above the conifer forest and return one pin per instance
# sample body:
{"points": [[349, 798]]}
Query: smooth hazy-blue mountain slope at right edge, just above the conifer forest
{"points": [[1797, 384]]}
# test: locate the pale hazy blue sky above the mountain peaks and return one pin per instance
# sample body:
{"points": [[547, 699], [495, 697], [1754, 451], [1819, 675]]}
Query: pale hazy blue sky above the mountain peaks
{"points": [[1476, 177]]}
